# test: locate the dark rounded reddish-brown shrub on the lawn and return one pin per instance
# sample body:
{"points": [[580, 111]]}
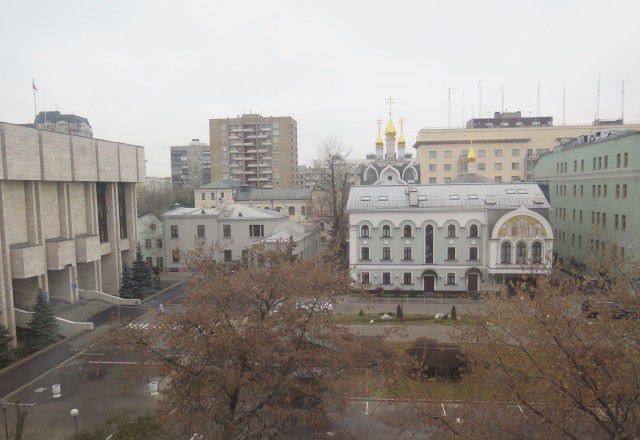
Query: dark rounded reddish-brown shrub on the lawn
{"points": [[432, 359]]}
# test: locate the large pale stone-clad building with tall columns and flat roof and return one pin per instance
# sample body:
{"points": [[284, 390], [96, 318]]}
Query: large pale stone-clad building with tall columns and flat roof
{"points": [[67, 216]]}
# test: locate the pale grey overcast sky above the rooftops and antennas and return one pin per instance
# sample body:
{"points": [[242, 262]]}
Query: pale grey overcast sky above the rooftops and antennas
{"points": [[153, 72]]}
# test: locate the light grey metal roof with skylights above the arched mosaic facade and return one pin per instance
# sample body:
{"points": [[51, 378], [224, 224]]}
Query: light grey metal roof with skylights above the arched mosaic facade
{"points": [[447, 196]]}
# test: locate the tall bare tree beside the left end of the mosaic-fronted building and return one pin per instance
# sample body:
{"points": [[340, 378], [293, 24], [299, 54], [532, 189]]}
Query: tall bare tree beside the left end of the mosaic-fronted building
{"points": [[331, 194]]}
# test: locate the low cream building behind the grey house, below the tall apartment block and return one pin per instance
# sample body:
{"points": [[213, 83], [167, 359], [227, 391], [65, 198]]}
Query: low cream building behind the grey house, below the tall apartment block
{"points": [[294, 202]]}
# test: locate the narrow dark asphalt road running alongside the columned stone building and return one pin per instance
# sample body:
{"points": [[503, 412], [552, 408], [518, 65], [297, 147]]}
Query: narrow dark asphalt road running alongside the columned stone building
{"points": [[70, 348]]}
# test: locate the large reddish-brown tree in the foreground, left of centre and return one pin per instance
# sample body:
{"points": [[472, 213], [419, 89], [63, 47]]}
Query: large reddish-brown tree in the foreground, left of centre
{"points": [[253, 350]]}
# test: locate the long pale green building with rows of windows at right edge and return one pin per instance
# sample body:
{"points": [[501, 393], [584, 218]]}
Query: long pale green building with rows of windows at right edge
{"points": [[594, 189]]}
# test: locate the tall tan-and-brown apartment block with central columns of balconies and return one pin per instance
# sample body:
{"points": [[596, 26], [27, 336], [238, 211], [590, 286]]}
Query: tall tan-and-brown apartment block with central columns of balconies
{"points": [[254, 150]]}
